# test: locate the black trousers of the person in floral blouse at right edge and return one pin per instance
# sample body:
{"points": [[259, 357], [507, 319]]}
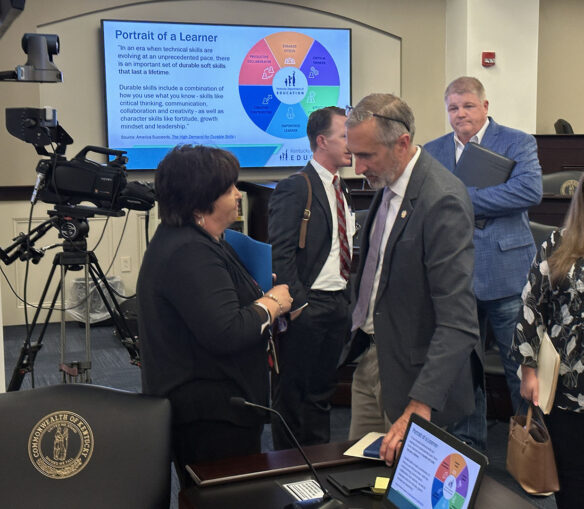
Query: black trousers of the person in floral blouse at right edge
{"points": [[567, 433]]}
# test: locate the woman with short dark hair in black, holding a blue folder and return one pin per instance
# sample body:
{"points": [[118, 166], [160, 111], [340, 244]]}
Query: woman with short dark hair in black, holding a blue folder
{"points": [[203, 320]]}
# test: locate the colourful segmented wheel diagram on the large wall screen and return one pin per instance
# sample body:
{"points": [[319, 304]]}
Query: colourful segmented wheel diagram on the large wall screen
{"points": [[283, 79]]}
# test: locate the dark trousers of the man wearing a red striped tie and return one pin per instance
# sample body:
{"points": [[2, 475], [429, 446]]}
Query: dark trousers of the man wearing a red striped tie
{"points": [[308, 354]]}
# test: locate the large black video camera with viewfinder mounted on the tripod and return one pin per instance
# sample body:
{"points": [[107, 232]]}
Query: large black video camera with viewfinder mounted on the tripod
{"points": [[69, 183]]}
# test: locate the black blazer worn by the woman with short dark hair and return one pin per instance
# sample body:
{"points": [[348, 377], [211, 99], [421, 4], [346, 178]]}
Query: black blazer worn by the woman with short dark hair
{"points": [[200, 338]]}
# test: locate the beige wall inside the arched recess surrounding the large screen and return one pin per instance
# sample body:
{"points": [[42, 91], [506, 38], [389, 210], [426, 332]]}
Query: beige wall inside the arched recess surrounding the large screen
{"points": [[81, 51]]}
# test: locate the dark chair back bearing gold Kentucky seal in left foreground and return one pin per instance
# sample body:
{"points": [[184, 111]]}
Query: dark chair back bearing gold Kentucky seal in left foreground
{"points": [[84, 446]]}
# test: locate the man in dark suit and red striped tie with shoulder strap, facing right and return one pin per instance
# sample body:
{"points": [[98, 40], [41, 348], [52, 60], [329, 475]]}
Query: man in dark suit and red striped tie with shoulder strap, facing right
{"points": [[317, 272]]}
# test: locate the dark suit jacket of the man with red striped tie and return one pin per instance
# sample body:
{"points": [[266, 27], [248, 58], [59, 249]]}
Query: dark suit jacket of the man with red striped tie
{"points": [[297, 267]]}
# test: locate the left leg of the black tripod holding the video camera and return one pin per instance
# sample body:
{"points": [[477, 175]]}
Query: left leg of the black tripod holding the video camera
{"points": [[29, 351]]}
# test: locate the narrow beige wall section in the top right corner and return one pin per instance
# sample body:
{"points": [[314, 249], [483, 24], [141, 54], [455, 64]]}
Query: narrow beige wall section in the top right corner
{"points": [[561, 73]]}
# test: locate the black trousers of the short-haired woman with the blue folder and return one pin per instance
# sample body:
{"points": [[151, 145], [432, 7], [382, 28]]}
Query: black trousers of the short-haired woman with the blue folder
{"points": [[211, 440]]}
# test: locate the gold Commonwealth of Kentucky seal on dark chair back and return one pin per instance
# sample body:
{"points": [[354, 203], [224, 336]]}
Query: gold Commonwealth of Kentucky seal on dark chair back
{"points": [[60, 444]]}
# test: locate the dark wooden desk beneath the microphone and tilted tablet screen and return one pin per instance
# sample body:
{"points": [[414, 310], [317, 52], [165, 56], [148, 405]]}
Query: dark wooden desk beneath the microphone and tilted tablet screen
{"points": [[265, 491]]}
